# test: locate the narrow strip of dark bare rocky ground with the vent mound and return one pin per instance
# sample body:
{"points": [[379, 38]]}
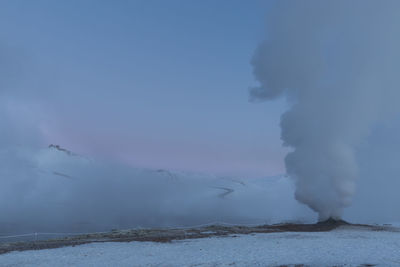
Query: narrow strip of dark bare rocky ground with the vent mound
{"points": [[168, 235]]}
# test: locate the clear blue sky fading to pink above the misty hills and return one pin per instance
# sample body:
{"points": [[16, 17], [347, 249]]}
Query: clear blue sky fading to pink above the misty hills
{"points": [[158, 84]]}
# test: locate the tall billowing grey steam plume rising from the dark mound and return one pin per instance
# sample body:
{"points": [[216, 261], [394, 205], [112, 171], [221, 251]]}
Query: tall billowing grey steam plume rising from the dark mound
{"points": [[338, 63]]}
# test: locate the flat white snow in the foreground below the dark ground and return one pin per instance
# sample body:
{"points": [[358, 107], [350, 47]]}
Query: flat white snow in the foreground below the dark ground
{"points": [[341, 247]]}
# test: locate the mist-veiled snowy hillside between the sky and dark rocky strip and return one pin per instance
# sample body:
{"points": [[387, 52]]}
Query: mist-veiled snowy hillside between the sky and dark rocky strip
{"points": [[65, 192]]}
